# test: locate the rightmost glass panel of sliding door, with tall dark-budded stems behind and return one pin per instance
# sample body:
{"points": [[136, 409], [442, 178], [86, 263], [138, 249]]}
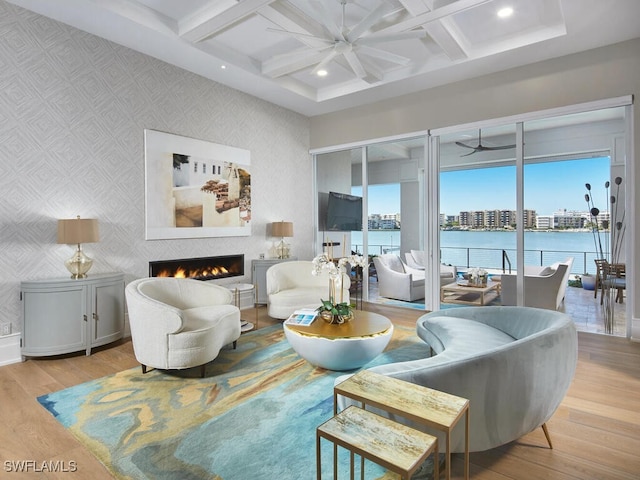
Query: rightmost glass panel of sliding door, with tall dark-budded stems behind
{"points": [[571, 163]]}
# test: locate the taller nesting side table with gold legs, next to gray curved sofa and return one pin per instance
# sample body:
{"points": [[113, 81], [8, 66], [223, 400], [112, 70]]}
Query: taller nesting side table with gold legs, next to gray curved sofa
{"points": [[433, 408]]}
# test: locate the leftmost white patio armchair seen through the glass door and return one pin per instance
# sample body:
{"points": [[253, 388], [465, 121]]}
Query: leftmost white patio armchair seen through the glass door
{"points": [[397, 280]]}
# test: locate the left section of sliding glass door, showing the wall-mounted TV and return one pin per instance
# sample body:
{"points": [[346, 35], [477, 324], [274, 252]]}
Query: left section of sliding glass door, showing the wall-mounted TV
{"points": [[387, 177]]}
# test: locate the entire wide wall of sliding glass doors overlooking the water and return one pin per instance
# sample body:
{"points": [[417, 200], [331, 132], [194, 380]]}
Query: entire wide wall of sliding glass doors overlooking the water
{"points": [[505, 198]]}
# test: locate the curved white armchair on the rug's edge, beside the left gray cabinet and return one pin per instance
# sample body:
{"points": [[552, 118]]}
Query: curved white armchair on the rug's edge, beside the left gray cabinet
{"points": [[179, 323]]}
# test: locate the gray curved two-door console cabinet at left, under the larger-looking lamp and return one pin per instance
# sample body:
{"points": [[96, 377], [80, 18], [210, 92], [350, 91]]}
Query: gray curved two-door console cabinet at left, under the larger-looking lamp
{"points": [[66, 315]]}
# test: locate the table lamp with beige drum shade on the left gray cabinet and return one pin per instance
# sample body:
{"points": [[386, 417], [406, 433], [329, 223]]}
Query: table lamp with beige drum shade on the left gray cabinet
{"points": [[76, 231]]}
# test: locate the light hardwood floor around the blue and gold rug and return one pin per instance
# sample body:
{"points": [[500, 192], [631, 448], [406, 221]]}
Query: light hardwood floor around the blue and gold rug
{"points": [[595, 432]]}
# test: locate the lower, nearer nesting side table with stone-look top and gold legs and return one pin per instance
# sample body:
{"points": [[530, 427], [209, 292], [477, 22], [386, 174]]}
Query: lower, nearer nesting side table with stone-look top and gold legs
{"points": [[394, 446]]}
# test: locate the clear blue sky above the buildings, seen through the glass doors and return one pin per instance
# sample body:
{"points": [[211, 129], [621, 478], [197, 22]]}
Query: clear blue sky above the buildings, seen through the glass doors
{"points": [[548, 188]]}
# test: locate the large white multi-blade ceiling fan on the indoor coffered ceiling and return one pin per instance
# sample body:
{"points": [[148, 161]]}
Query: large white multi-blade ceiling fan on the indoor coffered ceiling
{"points": [[350, 43]]}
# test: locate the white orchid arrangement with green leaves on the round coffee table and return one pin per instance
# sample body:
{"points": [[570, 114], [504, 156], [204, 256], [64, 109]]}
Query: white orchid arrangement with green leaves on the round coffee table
{"points": [[334, 310]]}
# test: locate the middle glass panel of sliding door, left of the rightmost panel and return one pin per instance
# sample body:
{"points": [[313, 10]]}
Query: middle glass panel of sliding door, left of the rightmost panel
{"points": [[478, 202]]}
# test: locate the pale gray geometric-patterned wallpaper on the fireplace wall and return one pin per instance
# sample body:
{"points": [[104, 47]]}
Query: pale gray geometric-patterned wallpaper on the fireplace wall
{"points": [[73, 109]]}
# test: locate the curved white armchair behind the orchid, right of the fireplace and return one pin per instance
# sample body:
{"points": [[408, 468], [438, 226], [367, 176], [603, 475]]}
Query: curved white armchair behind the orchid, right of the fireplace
{"points": [[292, 285]]}
